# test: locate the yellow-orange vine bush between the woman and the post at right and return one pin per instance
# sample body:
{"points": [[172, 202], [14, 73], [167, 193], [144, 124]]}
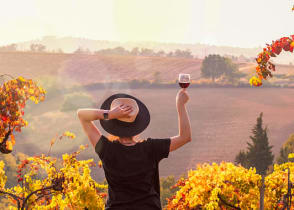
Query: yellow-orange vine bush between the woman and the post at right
{"points": [[204, 185]]}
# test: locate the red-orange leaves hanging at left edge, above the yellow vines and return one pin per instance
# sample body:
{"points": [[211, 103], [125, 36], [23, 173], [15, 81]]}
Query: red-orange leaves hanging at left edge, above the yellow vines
{"points": [[13, 96]]}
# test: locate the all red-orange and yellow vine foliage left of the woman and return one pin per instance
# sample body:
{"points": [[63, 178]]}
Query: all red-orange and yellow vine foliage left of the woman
{"points": [[43, 182]]}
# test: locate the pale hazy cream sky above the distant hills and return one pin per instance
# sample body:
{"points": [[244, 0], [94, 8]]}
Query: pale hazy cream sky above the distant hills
{"points": [[243, 23]]}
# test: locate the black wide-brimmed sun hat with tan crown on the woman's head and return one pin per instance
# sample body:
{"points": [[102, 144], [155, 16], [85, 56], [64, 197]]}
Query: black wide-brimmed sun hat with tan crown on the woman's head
{"points": [[126, 127]]}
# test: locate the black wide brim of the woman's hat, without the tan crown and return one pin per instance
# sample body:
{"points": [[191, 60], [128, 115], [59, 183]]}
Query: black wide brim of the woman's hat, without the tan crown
{"points": [[126, 129]]}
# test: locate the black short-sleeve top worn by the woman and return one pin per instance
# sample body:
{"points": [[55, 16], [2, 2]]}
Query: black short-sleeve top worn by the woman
{"points": [[132, 172]]}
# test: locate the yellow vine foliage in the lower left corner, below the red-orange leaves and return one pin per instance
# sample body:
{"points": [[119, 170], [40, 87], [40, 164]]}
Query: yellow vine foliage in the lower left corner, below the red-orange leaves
{"points": [[48, 183]]}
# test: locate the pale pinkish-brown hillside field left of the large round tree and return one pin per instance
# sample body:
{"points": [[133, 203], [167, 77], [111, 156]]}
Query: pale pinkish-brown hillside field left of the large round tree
{"points": [[86, 69]]}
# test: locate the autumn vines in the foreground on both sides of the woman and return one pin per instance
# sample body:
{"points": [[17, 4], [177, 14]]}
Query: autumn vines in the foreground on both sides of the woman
{"points": [[47, 182]]}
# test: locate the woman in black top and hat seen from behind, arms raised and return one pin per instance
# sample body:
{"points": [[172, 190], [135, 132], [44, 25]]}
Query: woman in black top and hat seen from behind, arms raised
{"points": [[131, 166]]}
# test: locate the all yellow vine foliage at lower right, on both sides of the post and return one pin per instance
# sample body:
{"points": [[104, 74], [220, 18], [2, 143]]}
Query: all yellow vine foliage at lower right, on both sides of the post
{"points": [[218, 186]]}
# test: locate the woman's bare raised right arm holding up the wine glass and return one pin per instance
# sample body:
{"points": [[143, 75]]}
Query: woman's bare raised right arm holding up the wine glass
{"points": [[184, 135]]}
